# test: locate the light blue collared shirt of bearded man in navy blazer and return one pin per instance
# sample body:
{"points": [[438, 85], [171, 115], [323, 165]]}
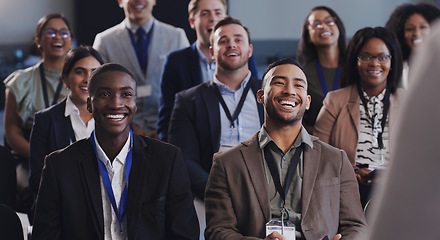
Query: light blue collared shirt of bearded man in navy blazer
{"points": [[248, 121]]}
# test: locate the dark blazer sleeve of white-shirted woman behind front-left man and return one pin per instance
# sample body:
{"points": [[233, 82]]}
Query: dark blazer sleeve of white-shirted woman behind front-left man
{"points": [[38, 143]]}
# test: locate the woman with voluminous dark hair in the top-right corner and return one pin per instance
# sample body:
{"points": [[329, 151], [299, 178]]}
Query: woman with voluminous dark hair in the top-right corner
{"points": [[412, 24]]}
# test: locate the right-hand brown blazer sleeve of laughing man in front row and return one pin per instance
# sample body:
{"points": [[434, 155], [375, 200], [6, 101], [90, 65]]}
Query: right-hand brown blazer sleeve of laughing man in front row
{"points": [[351, 217]]}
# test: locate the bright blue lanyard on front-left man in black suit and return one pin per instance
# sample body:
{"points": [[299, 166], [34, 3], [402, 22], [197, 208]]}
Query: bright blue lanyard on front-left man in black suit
{"points": [[107, 183]]}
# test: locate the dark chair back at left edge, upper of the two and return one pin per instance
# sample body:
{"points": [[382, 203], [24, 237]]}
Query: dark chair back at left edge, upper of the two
{"points": [[8, 178]]}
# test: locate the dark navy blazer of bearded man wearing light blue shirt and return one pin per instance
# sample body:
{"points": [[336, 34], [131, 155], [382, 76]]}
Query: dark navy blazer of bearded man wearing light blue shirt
{"points": [[195, 127]]}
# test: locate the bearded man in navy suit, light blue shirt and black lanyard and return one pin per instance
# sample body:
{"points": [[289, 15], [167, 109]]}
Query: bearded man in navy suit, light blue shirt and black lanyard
{"points": [[199, 123]]}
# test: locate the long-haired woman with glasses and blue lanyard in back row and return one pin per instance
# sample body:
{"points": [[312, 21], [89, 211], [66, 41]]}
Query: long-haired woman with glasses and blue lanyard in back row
{"points": [[321, 52]]}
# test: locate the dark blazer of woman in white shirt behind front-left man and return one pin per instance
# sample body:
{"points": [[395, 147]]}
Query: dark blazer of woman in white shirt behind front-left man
{"points": [[51, 131]]}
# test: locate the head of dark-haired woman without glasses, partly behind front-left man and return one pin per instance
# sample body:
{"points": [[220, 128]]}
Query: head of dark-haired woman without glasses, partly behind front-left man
{"points": [[78, 77]]}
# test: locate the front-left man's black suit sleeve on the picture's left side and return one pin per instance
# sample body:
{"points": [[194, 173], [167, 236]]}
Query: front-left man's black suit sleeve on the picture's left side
{"points": [[47, 221]]}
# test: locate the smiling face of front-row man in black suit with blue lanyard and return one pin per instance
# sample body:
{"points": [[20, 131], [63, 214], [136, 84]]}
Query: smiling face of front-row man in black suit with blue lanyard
{"points": [[113, 103]]}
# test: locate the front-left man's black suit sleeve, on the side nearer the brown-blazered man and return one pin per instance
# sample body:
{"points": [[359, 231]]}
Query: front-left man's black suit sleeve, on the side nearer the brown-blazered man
{"points": [[181, 216]]}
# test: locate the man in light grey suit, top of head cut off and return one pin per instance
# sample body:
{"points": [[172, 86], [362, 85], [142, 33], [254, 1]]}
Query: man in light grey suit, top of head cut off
{"points": [[141, 43]]}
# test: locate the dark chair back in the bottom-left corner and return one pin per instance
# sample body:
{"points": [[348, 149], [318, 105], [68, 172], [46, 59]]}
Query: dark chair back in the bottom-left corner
{"points": [[10, 225]]}
